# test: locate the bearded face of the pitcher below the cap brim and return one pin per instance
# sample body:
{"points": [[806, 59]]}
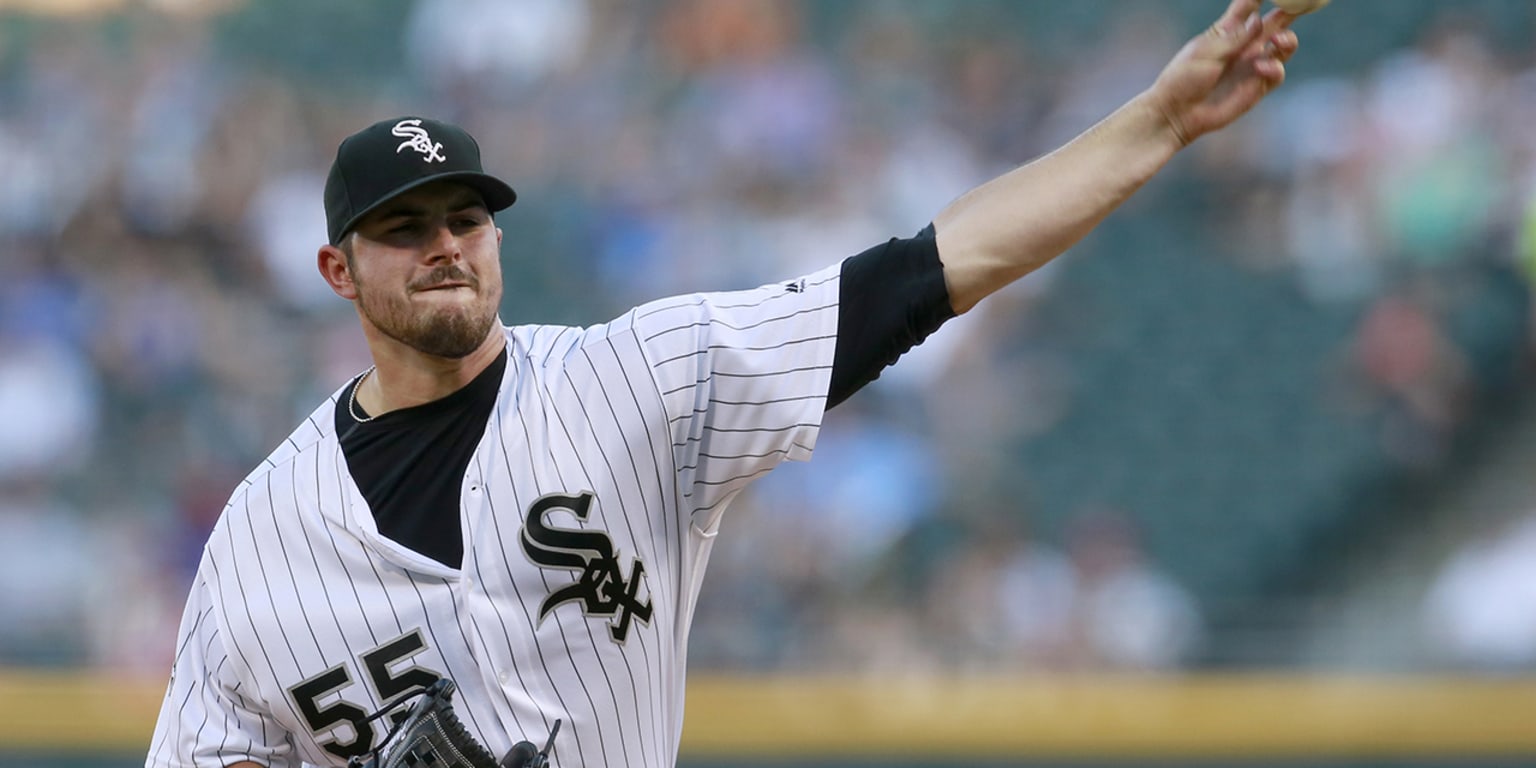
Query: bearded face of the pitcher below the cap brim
{"points": [[428, 270]]}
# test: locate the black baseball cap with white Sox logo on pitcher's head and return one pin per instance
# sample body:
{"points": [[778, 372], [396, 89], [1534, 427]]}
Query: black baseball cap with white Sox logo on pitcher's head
{"points": [[397, 156]]}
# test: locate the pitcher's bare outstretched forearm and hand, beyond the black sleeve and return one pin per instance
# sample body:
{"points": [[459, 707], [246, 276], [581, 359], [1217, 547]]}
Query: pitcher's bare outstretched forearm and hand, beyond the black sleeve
{"points": [[1013, 225]]}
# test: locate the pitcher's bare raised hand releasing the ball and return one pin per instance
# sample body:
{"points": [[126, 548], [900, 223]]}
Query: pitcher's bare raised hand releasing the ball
{"points": [[1222, 74]]}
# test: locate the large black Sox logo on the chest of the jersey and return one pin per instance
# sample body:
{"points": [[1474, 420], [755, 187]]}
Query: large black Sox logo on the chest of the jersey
{"points": [[601, 586]]}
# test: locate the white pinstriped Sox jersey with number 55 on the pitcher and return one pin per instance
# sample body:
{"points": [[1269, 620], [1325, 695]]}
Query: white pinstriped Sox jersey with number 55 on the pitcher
{"points": [[589, 511]]}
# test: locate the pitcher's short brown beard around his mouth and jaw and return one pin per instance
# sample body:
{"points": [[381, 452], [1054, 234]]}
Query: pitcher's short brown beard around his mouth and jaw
{"points": [[452, 331]]}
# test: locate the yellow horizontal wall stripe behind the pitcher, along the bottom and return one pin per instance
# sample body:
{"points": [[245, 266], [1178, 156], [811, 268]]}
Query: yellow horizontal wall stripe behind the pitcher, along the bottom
{"points": [[1110, 718]]}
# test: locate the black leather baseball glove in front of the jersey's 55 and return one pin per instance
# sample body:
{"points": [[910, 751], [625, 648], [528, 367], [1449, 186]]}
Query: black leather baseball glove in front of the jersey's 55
{"points": [[432, 737]]}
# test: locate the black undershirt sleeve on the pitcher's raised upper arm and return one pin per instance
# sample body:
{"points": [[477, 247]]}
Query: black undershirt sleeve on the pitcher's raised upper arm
{"points": [[890, 300]]}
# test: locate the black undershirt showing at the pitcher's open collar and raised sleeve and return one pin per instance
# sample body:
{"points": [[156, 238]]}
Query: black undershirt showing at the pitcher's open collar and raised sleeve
{"points": [[411, 463]]}
